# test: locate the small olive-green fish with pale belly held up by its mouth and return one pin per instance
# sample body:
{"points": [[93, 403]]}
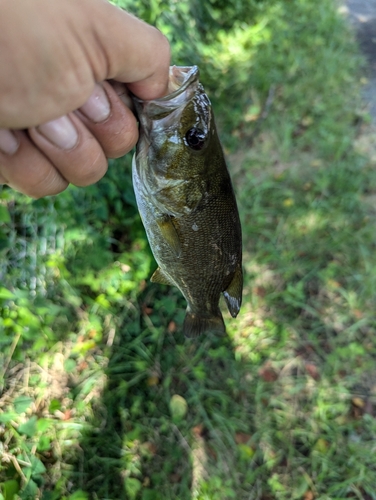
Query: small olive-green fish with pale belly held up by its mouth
{"points": [[187, 203]]}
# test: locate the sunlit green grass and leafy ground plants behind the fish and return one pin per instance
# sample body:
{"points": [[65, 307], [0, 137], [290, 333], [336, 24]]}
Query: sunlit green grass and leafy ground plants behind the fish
{"points": [[101, 397]]}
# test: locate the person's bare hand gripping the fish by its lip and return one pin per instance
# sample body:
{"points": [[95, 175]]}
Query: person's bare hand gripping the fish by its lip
{"points": [[58, 60]]}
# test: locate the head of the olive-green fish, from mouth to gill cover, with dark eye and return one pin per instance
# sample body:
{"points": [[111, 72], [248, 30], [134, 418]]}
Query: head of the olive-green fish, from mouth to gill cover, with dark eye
{"points": [[177, 136]]}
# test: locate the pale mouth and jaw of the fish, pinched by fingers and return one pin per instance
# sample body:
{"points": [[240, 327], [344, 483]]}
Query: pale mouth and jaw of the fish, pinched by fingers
{"points": [[183, 83]]}
